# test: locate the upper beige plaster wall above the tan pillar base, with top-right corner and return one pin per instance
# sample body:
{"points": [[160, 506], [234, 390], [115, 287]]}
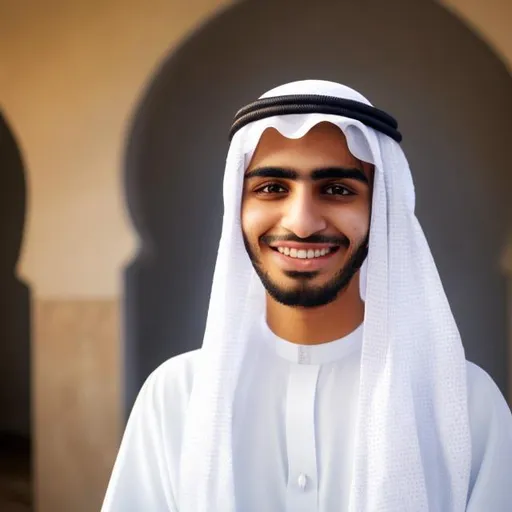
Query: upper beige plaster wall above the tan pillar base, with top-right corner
{"points": [[71, 73]]}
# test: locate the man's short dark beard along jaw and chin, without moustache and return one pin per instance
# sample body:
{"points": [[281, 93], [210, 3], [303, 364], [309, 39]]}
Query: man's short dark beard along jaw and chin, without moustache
{"points": [[303, 295]]}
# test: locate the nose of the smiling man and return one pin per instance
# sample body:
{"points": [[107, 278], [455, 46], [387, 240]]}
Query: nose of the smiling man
{"points": [[302, 215]]}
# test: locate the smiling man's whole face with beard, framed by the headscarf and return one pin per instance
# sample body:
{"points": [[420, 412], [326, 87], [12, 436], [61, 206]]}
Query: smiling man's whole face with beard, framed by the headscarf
{"points": [[306, 214]]}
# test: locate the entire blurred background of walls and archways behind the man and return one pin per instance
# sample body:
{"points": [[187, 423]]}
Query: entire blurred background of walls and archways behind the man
{"points": [[114, 117]]}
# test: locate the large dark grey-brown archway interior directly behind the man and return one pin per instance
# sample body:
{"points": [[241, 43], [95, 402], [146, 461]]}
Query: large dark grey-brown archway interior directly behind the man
{"points": [[452, 97]]}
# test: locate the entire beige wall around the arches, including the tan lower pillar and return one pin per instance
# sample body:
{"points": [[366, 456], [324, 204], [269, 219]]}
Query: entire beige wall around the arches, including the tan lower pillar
{"points": [[70, 76]]}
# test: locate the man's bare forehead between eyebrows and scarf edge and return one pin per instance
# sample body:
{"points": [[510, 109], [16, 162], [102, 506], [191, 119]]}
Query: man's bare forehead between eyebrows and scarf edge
{"points": [[324, 145]]}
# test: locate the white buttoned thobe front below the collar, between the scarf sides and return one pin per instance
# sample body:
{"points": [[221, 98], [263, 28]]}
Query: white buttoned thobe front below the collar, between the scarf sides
{"points": [[294, 432]]}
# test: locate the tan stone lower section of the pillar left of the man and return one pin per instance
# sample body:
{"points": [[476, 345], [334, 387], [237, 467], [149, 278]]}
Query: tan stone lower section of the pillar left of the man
{"points": [[77, 402]]}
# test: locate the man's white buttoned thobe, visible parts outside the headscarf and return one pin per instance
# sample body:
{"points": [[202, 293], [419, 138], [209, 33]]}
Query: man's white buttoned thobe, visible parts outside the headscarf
{"points": [[294, 431]]}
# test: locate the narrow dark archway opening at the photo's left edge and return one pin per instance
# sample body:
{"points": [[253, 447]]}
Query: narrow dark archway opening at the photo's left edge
{"points": [[15, 379]]}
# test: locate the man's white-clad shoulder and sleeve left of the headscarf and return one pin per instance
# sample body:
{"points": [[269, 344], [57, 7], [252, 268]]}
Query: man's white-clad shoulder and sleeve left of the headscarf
{"points": [[146, 471]]}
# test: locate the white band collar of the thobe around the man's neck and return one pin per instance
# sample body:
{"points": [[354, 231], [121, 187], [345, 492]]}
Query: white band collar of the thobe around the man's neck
{"points": [[314, 354]]}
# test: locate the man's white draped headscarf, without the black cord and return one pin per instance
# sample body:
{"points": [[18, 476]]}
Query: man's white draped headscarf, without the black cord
{"points": [[413, 441]]}
